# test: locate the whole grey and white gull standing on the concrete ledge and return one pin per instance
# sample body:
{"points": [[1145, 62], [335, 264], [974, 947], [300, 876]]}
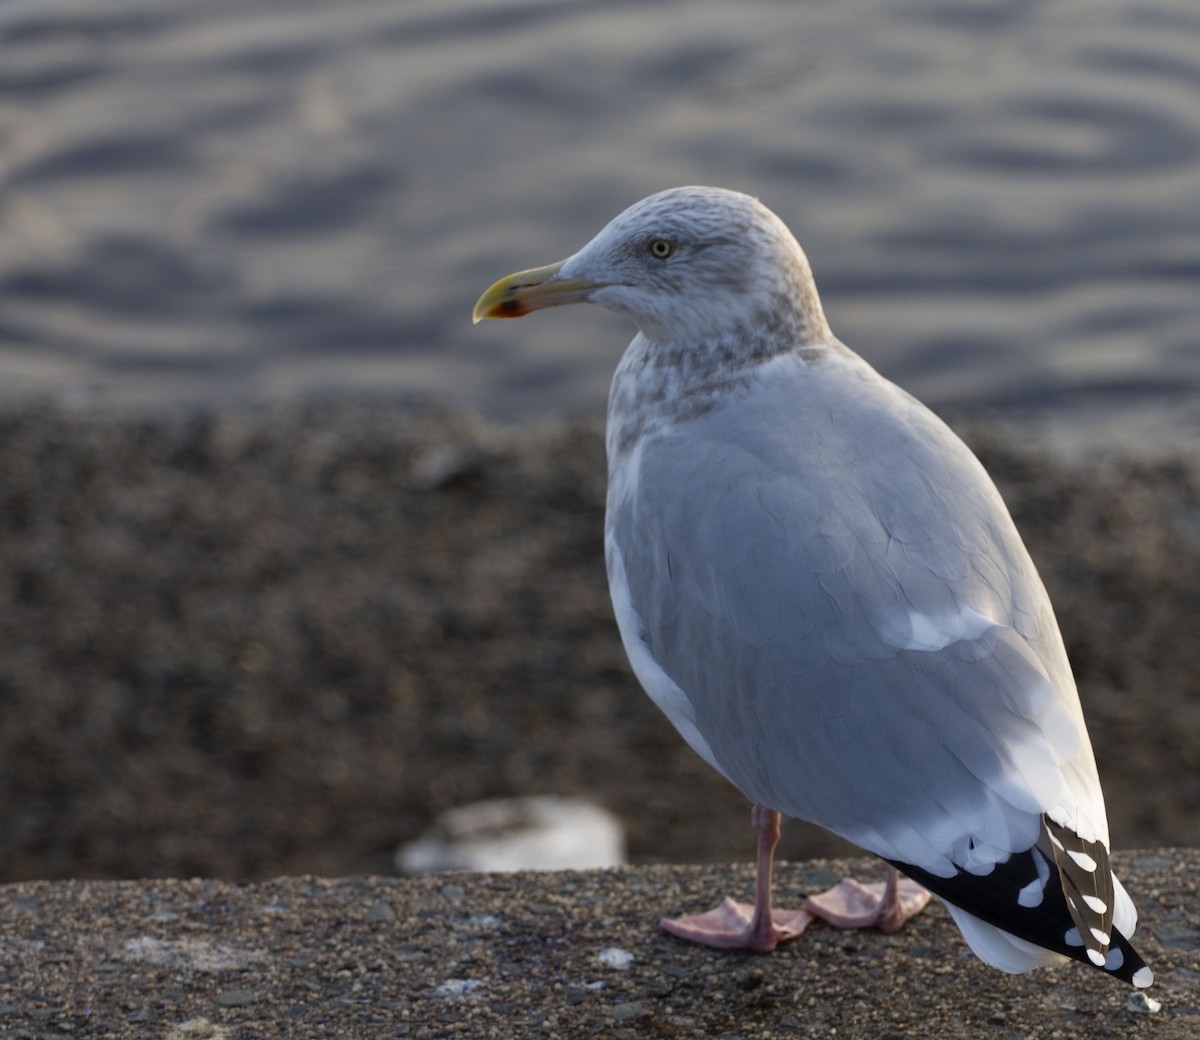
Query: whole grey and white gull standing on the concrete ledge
{"points": [[820, 586]]}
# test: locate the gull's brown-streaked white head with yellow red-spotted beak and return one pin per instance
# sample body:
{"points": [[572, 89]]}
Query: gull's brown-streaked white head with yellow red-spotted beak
{"points": [[689, 264]]}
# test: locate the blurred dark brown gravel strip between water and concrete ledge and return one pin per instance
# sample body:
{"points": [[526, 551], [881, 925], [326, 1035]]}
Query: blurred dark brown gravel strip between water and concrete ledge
{"points": [[280, 642]]}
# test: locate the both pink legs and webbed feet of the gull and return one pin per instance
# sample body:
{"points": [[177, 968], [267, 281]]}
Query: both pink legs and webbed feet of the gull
{"points": [[848, 905]]}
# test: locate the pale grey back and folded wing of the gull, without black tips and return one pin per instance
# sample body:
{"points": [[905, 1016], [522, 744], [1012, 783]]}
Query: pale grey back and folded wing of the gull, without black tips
{"points": [[839, 593]]}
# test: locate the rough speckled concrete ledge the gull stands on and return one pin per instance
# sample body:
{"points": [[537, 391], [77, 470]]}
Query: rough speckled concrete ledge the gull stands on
{"points": [[566, 954]]}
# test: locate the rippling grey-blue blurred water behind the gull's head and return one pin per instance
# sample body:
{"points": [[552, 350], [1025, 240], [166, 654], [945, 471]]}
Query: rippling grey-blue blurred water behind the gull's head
{"points": [[236, 201]]}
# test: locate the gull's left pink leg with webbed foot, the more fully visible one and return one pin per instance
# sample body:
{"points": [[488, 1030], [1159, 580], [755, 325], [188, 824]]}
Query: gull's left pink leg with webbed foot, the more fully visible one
{"points": [[740, 927]]}
